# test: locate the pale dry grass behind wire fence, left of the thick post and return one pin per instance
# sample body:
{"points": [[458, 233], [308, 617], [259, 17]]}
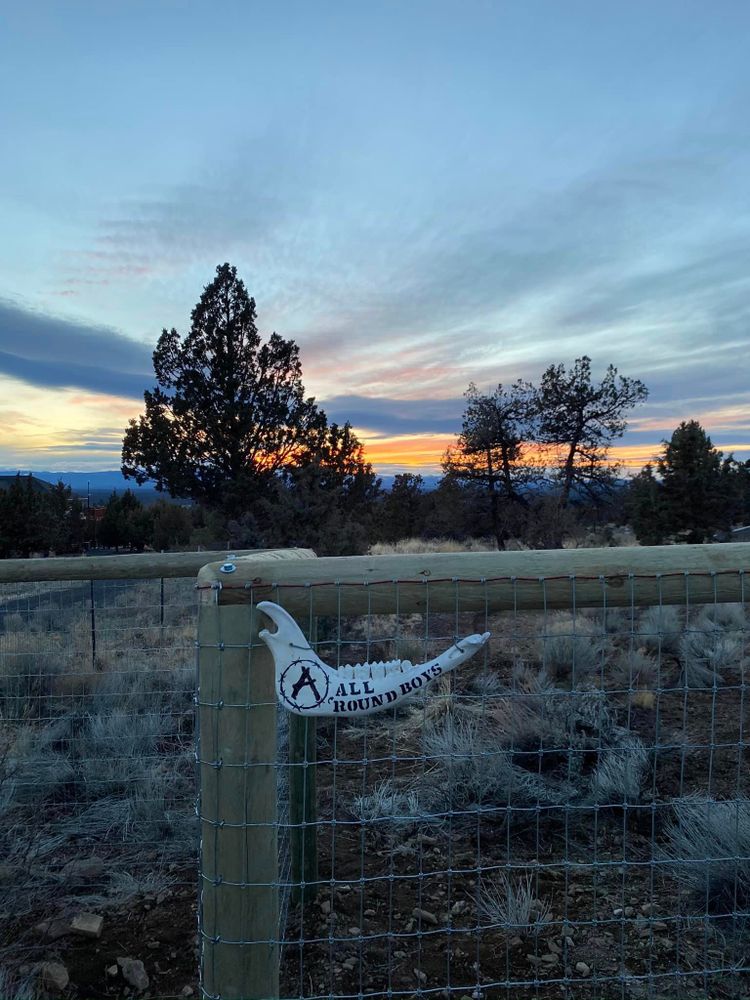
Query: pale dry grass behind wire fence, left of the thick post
{"points": [[96, 748]]}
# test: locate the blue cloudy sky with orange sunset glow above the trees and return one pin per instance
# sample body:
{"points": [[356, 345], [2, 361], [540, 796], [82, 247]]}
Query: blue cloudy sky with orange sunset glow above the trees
{"points": [[421, 193]]}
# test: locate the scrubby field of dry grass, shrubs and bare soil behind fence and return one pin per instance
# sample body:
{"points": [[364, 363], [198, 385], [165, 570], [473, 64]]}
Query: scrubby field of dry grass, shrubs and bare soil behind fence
{"points": [[537, 824]]}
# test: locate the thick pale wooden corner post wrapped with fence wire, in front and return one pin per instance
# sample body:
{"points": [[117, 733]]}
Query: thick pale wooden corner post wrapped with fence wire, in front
{"points": [[239, 893]]}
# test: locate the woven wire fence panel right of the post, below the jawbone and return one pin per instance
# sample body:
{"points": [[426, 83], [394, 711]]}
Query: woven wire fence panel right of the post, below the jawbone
{"points": [[565, 815]]}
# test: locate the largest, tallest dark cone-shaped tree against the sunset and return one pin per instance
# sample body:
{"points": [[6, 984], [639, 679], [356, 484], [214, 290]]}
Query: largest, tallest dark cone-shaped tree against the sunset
{"points": [[228, 408]]}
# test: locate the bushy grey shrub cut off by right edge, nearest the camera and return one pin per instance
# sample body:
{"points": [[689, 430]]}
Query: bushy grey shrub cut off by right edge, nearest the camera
{"points": [[708, 844]]}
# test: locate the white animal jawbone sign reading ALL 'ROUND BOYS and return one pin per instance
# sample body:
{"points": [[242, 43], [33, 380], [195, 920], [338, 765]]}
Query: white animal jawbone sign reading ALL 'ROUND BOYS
{"points": [[307, 686]]}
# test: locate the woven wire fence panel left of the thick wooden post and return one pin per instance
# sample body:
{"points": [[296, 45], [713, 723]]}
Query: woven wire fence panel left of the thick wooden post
{"points": [[97, 785]]}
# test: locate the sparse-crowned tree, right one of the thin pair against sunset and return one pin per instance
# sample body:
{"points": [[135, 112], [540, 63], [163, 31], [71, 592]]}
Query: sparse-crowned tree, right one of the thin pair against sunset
{"points": [[578, 421]]}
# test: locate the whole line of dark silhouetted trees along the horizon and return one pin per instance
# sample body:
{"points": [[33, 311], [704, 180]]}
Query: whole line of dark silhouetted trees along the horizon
{"points": [[230, 428]]}
